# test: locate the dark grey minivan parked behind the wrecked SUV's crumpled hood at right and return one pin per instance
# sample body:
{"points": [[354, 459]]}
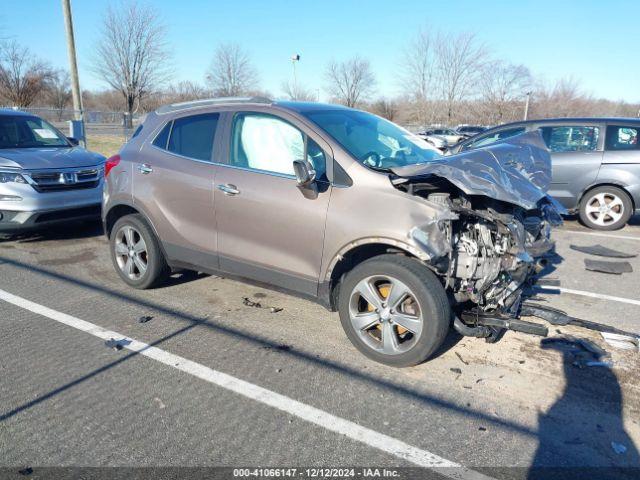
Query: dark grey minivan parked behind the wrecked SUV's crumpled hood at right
{"points": [[596, 164]]}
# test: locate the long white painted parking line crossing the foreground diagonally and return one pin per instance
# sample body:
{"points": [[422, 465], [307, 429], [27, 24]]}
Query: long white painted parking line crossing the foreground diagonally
{"points": [[306, 412]]}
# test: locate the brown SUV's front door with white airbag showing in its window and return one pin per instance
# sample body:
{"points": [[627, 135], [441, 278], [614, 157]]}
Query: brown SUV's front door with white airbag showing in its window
{"points": [[269, 229]]}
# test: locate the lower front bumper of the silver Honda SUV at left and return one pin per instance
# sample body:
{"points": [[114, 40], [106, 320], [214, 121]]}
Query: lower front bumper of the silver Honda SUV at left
{"points": [[12, 221]]}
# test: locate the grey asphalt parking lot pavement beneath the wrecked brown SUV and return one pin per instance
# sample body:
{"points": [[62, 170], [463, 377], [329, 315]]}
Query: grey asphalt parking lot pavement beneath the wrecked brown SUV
{"points": [[210, 381]]}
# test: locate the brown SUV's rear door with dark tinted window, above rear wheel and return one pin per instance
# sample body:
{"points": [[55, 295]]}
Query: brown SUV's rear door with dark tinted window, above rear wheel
{"points": [[174, 182]]}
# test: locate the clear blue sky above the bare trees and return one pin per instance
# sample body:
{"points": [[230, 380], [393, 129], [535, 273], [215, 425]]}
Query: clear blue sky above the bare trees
{"points": [[596, 42]]}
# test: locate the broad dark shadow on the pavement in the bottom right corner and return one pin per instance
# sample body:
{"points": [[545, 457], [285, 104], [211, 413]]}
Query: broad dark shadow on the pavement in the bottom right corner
{"points": [[575, 430]]}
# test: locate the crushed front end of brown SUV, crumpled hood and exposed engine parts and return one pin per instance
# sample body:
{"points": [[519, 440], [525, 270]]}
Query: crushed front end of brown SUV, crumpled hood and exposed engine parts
{"points": [[494, 233]]}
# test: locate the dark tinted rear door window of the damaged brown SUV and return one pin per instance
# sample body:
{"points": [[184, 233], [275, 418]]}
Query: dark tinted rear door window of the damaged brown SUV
{"points": [[193, 136]]}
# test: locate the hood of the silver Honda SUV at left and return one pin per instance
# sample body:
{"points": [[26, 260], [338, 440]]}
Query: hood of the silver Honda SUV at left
{"points": [[48, 158]]}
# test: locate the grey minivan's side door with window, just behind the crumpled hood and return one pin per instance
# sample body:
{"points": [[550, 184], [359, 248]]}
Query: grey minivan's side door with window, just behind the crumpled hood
{"points": [[576, 156]]}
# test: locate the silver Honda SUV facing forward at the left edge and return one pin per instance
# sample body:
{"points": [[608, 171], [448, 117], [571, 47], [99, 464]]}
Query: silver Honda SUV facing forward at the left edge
{"points": [[45, 177]]}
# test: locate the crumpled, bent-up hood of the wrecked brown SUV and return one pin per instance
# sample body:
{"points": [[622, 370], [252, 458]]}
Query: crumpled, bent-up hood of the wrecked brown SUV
{"points": [[516, 170]]}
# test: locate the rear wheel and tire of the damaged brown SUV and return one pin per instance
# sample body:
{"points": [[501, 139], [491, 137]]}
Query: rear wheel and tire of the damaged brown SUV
{"points": [[156, 272]]}
